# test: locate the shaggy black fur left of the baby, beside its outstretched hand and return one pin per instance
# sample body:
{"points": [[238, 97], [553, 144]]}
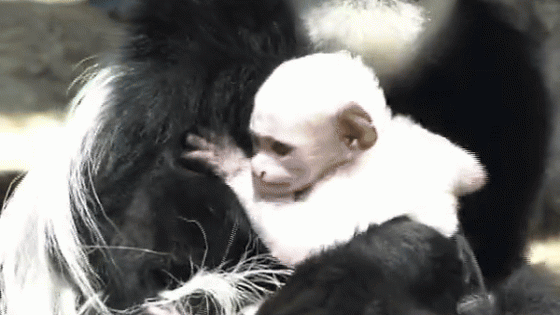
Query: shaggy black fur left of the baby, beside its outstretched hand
{"points": [[186, 64]]}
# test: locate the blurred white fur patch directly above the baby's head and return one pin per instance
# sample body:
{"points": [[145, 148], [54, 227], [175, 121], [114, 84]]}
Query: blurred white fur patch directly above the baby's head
{"points": [[387, 33]]}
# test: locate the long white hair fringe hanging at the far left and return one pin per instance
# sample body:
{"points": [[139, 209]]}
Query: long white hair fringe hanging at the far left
{"points": [[38, 237]]}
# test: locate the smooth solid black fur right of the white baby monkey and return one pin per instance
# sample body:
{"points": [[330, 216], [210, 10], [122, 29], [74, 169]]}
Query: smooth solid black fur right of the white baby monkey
{"points": [[480, 87]]}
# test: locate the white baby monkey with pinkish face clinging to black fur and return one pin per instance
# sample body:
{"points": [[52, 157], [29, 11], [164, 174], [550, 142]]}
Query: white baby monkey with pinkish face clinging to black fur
{"points": [[330, 159]]}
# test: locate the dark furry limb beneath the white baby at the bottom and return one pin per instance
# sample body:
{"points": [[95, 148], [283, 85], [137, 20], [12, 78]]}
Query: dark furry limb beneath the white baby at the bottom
{"points": [[398, 267]]}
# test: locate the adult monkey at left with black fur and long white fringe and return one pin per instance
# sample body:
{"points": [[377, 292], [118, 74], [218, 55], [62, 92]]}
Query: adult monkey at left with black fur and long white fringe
{"points": [[110, 219]]}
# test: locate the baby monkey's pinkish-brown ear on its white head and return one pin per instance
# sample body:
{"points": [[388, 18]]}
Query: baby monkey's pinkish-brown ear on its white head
{"points": [[354, 127]]}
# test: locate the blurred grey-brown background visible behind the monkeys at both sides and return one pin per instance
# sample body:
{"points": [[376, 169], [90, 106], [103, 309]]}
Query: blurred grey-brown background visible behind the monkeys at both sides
{"points": [[45, 45]]}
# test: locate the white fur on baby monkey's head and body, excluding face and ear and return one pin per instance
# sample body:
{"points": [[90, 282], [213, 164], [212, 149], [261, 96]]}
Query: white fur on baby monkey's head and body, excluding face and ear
{"points": [[409, 170]]}
